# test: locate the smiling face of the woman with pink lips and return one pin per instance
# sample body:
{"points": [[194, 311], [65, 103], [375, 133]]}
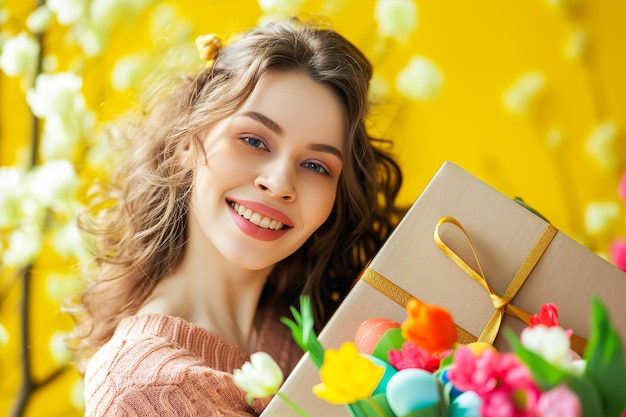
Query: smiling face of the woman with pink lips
{"points": [[271, 172]]}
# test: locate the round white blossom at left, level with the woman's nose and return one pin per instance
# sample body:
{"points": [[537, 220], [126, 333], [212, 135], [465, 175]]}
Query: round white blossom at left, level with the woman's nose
{"points": [[54, 184]]}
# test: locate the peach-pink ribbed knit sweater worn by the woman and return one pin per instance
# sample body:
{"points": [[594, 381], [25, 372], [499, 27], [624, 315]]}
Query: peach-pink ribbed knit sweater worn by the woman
{"points": [[156, 365]]}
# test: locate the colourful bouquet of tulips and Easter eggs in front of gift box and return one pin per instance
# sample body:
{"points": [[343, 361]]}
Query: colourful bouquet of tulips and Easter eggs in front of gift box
{"points": [[417, 368]]}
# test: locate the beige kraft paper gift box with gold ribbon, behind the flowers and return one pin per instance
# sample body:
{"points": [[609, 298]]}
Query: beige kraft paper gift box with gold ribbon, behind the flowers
{"points": [[511, 242]]}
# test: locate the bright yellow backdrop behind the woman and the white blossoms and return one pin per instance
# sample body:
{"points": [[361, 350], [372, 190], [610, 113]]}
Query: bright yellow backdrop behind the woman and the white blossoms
{"points": [[481, 47]]}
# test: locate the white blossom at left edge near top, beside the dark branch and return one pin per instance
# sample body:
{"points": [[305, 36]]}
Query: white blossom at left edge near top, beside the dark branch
{"points": [[19, 55]]}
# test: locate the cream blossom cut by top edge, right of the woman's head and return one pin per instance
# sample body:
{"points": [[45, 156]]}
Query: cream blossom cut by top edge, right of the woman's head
{"points": [[396, 18]]}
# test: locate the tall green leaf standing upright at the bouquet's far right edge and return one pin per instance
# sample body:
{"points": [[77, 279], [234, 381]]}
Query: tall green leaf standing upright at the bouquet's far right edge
{"points": [[605, 361]]}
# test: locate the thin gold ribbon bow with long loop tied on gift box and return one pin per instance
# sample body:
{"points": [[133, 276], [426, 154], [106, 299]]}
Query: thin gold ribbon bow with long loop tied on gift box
{"points": [[502, 304]]}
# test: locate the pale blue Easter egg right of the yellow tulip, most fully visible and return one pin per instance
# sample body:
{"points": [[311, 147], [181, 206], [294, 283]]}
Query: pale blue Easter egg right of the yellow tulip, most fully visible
{"points": [[412, 389]]}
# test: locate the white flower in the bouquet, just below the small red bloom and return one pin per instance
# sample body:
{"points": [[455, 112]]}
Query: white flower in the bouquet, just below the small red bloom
{"points": [[551, 343]]}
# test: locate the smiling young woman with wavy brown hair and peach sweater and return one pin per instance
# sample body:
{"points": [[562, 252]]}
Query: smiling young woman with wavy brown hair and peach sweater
{"points": [[243, 187]]}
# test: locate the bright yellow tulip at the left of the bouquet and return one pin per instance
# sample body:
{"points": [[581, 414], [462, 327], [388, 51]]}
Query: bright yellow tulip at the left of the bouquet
{"points": [[347, 376]]}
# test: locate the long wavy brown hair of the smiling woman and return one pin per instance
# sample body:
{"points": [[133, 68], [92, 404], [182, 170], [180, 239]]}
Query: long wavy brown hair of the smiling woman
{"points": [[138, 219]]}
